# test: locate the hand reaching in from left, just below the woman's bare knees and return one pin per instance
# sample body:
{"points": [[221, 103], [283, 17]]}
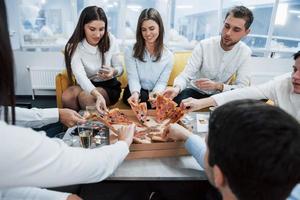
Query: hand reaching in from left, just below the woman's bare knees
{"points": [[70, 117]]}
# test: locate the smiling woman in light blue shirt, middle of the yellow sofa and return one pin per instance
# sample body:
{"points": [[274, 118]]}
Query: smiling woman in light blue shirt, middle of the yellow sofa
{"points": [[148, 63]]}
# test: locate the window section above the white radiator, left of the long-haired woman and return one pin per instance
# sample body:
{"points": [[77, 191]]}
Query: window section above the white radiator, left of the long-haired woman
{"points": [[46, 24]]}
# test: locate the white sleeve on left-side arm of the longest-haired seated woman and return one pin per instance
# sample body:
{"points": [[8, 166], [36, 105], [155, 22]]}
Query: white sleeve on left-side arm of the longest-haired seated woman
{"points": [[80, 74]]}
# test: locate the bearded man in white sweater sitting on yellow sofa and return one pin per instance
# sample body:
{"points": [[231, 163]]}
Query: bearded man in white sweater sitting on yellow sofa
{"points": [[216, 60]]}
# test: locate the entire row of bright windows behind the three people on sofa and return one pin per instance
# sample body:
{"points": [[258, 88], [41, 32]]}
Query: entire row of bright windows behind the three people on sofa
{"points": [[49, 24]]}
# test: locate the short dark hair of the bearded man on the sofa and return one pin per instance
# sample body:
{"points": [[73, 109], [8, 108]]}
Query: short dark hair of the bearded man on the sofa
{"points": [[241, 12]]}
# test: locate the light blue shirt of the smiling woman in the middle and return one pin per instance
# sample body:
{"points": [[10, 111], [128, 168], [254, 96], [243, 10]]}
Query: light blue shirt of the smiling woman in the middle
{"points": [[149, 75]]}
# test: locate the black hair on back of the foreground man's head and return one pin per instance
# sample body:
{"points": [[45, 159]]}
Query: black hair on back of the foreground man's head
{"points": [[256, 146]]}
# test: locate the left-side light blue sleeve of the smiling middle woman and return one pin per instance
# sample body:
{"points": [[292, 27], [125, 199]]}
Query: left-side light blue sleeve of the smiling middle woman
{"points": [[132, 74]]}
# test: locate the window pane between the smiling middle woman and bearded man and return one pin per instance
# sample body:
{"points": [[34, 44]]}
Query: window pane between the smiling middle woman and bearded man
{"points": [[193, 20]]}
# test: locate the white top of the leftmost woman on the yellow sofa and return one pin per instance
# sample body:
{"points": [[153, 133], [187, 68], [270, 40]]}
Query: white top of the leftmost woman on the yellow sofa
{"points": [[87, 61]]}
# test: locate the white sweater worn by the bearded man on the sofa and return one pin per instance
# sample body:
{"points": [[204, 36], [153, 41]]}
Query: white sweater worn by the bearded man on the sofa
{"points": [[210, 61]]}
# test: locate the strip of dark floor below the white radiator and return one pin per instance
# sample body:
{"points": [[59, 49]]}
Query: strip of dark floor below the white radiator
{"points": [[39, 101]]}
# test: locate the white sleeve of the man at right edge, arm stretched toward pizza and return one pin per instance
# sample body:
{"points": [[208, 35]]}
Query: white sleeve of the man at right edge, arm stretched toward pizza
{"points": [[264, 91]]}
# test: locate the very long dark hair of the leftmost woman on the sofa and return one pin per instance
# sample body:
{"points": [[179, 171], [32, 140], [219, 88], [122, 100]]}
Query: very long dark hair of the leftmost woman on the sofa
{"points": [[87, 15]]}
